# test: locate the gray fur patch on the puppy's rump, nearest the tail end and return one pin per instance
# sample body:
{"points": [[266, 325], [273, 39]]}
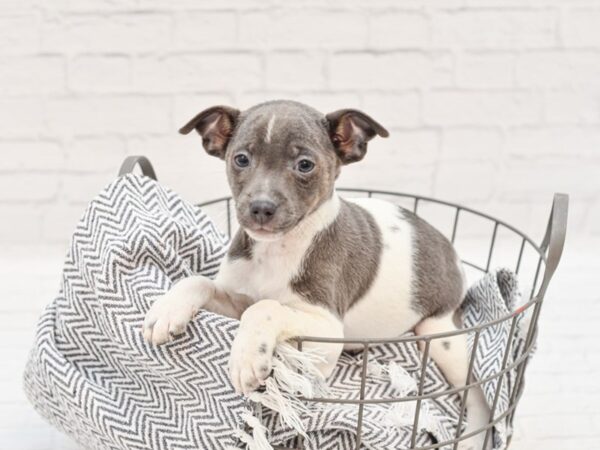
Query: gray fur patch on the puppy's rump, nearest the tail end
{"points": [[438, 282]]}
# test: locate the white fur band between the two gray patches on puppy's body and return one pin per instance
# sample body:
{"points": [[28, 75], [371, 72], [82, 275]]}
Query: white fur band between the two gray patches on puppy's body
{"points": [[385, 310]]}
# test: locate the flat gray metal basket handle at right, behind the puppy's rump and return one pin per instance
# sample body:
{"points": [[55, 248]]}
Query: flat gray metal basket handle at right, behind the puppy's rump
{"points": [[554, 239]]}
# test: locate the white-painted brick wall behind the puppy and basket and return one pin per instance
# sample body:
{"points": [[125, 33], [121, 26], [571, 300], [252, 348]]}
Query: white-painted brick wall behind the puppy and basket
{"points": [[493, 103]]}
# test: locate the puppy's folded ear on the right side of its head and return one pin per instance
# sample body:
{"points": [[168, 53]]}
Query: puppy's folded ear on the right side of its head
{"points": [[350, 130]]}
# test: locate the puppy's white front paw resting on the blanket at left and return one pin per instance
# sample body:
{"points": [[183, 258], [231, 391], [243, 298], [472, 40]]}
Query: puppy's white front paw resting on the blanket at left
{"points": [[168, 317]]}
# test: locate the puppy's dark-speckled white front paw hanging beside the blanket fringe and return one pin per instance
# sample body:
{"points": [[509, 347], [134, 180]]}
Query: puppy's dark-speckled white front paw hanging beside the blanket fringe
{"points": [[251, 359]]}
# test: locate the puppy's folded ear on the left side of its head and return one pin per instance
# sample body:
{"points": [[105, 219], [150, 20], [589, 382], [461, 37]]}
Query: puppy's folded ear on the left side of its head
{"points": [[216, 126]]}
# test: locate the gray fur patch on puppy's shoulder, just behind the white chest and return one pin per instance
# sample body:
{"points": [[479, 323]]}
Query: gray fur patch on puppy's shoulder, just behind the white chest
{"points": [[342, 262]]}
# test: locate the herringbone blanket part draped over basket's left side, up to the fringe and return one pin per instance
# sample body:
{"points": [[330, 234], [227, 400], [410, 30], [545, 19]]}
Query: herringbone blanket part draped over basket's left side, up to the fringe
{"points": [[91, 373]]}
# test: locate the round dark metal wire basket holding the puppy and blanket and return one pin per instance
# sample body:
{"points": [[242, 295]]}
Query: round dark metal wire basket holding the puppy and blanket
{"points": [[534, 263]]}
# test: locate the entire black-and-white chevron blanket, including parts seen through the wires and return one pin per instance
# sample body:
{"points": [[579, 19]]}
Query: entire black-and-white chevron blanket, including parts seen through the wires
{"points": [[91, 374]]}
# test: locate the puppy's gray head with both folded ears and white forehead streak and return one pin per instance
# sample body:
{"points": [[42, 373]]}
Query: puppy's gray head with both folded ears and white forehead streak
{"points": [[282, 158]]}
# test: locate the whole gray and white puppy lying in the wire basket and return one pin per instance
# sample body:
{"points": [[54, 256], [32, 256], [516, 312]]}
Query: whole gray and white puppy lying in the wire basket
{"points": [[306, 262]]}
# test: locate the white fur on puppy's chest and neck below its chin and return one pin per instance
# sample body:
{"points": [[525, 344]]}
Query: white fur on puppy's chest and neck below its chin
{"points": [[276, 259]]}
